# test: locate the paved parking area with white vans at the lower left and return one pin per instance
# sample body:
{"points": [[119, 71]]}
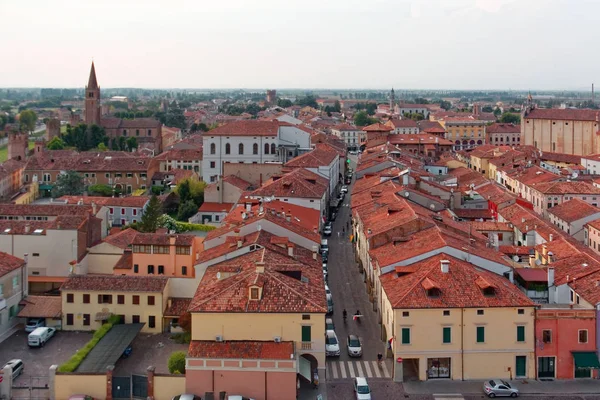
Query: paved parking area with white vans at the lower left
{"points": [[37, 361]]}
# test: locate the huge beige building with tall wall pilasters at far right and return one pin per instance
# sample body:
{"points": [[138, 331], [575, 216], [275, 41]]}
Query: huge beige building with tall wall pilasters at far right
{"points": [[567, 131]]}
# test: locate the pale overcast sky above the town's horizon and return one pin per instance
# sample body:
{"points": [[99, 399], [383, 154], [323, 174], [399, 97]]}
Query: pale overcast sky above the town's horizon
{"points": [[412, 44]]}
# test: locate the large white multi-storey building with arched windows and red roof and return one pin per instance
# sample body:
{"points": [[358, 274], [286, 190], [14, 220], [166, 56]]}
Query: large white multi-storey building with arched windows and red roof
{"points": [[251, 142]]}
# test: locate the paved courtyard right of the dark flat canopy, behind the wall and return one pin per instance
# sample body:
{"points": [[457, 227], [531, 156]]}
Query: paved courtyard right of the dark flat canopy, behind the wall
{"points": [[149, 350]]}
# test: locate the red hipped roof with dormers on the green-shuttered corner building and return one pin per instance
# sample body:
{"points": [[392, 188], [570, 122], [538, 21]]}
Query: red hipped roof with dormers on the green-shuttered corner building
{"points": [[460, 287]]}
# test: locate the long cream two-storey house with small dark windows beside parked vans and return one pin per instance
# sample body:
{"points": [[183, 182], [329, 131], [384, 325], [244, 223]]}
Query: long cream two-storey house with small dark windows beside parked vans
{"points": [[89, 300]]}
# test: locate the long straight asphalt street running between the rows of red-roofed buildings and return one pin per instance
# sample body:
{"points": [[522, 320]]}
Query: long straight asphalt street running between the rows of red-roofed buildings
{"points": [[349, 292]]}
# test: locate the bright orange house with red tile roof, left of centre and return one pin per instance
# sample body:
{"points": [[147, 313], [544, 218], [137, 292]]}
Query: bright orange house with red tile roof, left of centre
{"points": [[162, 254]]}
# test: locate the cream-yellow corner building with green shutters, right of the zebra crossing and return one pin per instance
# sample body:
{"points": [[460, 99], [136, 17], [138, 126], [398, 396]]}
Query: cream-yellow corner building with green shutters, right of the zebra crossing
{"points": [[445, 318]]}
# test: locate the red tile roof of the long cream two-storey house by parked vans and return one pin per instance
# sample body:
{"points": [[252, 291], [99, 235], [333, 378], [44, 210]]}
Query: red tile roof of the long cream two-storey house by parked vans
{"points": [[114, 283]]}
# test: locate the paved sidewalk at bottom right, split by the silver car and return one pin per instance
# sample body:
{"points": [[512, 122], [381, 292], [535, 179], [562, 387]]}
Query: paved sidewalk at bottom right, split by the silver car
{"points": [[583, 386]]}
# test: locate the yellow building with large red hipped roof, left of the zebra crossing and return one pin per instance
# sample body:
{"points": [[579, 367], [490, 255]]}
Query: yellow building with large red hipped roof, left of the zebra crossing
{"points": [[269, 290]]}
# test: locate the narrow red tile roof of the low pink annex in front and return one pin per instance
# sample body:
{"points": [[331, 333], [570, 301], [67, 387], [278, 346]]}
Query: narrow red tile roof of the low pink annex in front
{"points": [[247, 349]]}
